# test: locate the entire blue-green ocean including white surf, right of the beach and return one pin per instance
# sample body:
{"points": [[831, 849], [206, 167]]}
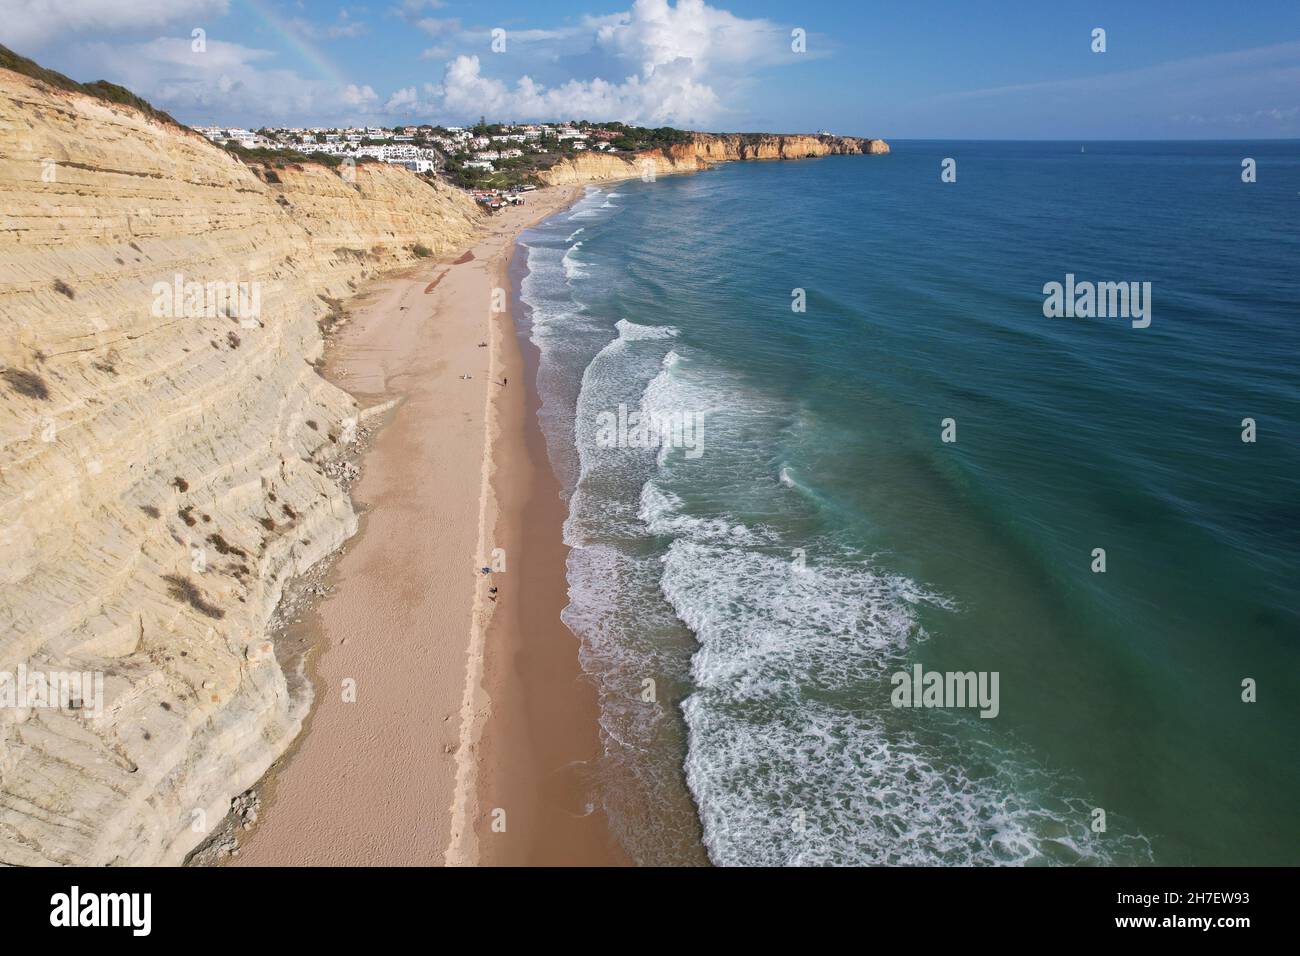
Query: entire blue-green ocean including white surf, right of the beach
{"points": [[743, 602]]}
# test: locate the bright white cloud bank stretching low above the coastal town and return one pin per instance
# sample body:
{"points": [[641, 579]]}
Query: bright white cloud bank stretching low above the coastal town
{"points": [[661, 66]]}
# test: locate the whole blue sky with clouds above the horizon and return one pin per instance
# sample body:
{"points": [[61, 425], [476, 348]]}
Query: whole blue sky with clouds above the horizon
{"points": [[1195, 70]]}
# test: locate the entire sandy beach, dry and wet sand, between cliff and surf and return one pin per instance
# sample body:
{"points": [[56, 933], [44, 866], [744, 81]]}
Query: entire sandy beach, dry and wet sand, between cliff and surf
{"points": [[449, 685]]}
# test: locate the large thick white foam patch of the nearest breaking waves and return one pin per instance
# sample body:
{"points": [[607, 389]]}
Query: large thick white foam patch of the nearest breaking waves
{"points": [[796, 756]]}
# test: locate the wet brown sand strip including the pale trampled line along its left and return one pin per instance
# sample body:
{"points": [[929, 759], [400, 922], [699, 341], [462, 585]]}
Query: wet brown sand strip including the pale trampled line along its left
{"points": [[530, 717]]}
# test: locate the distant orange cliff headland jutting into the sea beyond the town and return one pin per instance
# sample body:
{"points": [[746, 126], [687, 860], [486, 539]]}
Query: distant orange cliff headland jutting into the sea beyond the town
{"points": [[707, 150]]}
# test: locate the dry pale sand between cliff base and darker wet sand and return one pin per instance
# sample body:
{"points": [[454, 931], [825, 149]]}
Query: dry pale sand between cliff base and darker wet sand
{"points": [[387, 768]]}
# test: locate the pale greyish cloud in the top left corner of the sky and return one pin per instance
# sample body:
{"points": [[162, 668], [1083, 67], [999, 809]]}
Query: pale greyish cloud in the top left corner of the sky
{"points": [[31, 24]]}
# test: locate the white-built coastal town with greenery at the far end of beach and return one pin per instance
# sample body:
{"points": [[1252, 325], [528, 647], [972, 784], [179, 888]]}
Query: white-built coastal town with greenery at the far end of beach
{"points": [[495, 162]]}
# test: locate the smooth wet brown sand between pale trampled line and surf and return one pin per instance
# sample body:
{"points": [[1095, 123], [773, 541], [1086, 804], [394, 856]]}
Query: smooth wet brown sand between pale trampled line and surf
{"points": [[538, 790]]}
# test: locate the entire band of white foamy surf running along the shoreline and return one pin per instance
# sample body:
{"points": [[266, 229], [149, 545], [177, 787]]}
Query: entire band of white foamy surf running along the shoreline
{"points": [[795, 754]]}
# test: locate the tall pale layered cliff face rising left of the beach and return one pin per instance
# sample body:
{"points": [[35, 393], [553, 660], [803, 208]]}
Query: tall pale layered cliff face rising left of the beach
{"points": [[161, 466]]}
